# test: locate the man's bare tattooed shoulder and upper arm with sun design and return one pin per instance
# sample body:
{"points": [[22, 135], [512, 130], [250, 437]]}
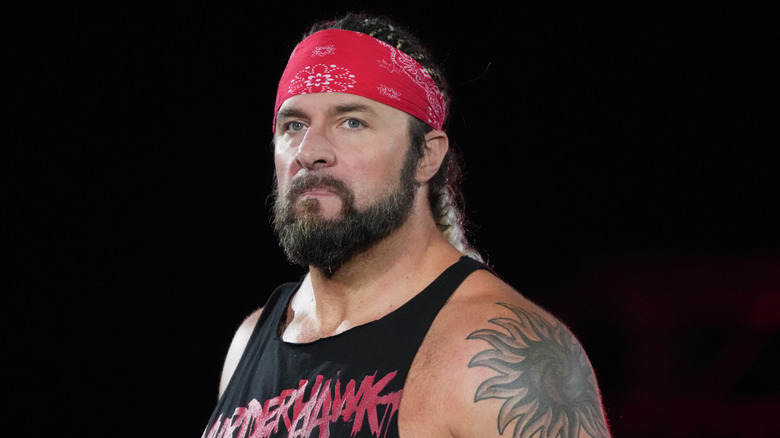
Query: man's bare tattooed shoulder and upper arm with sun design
{"points": [[509, 367]]}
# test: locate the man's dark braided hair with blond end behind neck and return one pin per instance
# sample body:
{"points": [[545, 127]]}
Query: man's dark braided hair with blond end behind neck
{"points": [[444, 193]]}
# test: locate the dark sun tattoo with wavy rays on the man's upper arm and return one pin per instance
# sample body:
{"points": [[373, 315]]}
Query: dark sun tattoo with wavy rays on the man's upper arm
{"points": [[544, 377]]}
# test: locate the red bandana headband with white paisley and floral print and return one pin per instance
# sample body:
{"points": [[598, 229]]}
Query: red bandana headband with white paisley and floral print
{"points": [[344, 61]]}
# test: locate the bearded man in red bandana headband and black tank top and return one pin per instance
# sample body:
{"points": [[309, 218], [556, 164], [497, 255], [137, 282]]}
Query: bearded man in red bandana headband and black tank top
{"points": [[393, 331]]}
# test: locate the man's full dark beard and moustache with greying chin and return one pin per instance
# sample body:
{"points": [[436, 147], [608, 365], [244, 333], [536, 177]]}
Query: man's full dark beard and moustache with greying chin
{"points": [[326, 244]]}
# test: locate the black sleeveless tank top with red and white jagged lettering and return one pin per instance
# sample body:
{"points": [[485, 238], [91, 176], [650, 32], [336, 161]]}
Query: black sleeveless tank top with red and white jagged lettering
{"points": [[348, 385]]}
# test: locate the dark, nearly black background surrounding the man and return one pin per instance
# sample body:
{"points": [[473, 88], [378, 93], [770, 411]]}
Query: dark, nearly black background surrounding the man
{"points": [[620, 171]]}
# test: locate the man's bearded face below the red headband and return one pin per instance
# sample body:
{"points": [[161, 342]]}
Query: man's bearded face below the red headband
{"points": [[345, 177]]}
